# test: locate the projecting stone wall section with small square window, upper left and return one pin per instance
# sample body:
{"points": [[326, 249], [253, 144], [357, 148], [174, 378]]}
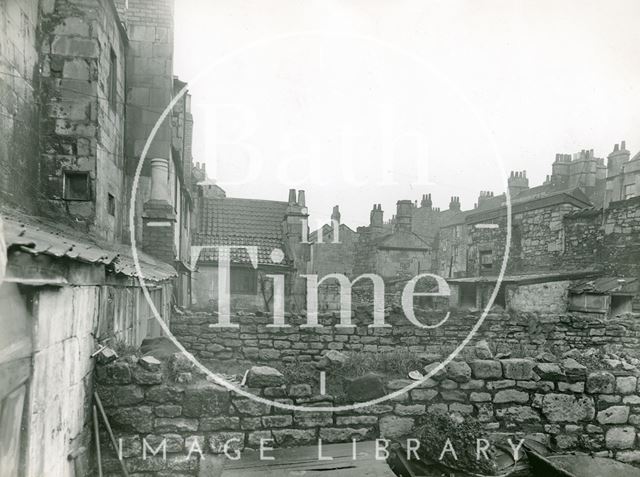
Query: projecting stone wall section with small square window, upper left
{"points": [[82, 117]]}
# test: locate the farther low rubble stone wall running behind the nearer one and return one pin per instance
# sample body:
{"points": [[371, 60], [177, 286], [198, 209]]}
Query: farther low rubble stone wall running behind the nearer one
{"points": [[254, 341]]}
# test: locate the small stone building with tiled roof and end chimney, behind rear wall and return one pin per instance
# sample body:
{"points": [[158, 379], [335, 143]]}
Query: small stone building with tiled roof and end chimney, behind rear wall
{"points": [[265, 224]]}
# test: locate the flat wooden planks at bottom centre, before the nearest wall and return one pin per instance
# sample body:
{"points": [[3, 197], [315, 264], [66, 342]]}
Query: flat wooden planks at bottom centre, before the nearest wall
{"points": [[304, 461]]}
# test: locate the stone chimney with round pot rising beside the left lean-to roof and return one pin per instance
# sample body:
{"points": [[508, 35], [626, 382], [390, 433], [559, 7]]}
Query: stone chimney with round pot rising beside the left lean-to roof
{"points": [[159, 217]]}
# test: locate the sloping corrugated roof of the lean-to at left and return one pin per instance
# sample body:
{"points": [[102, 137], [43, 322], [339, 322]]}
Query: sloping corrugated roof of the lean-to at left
{"points": [[37, 236]]}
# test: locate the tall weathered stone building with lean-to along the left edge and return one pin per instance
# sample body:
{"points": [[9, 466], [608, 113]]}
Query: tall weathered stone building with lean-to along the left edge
{"points": [[77, 82]]}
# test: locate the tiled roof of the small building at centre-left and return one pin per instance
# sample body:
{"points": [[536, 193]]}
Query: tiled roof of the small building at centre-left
{"points": [[250, 222]]}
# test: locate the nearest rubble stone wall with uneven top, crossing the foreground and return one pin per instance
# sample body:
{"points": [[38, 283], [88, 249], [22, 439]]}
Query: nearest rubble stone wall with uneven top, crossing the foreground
{"points": [[172, 412]]}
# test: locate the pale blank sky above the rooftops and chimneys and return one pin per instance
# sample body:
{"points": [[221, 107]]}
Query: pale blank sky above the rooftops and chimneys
{"points": [[369, 101]]}
